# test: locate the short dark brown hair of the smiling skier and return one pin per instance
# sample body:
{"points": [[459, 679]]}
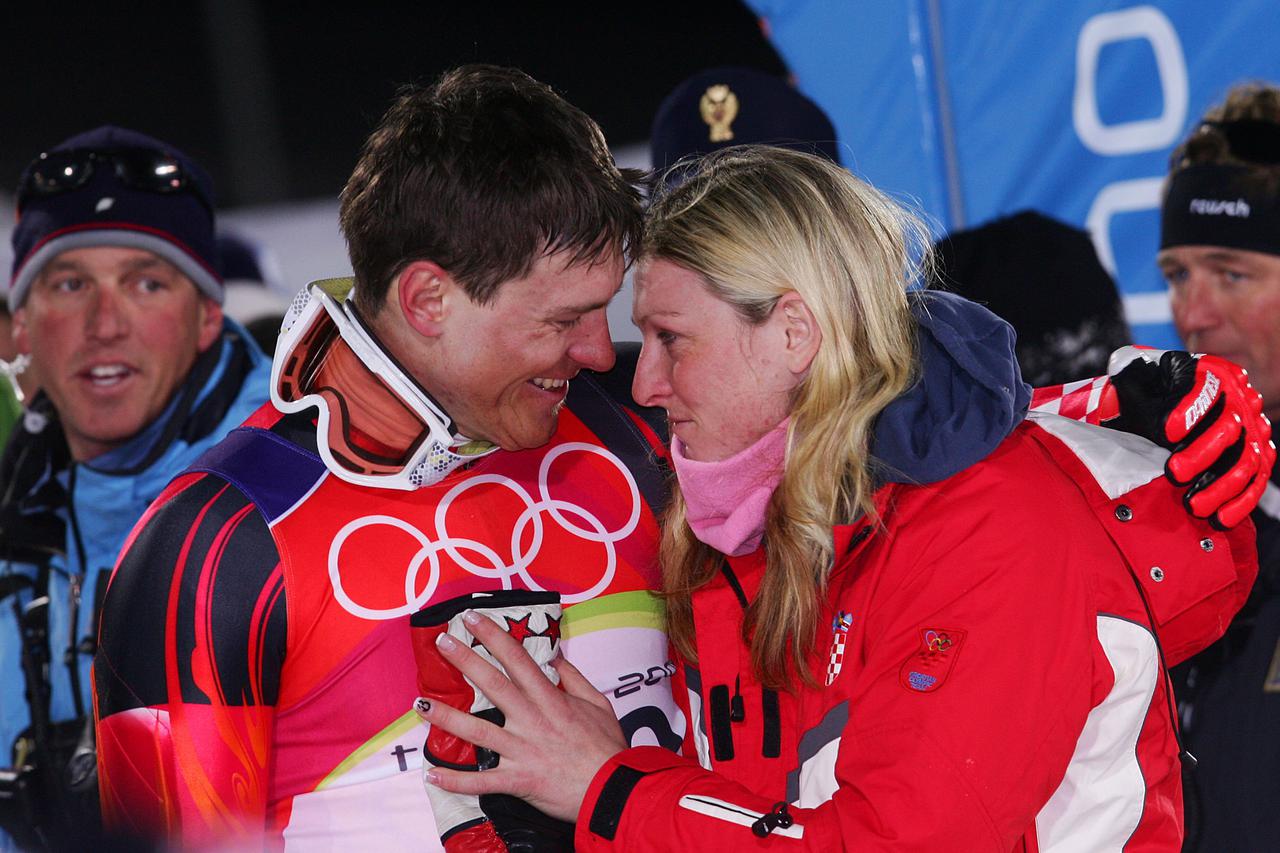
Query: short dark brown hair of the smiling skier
{"points": [[484, 172]]}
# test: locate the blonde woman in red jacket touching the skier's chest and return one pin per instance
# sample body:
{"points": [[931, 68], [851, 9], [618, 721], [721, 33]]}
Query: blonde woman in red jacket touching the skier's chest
{"points": [[904, 618]]}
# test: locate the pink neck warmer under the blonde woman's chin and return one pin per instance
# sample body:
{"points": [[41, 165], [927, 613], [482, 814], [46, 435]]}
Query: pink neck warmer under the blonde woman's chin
{"points": [[726, 501]]}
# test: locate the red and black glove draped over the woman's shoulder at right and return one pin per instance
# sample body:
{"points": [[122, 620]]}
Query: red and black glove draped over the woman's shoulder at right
{"points": [[1204, 409]]}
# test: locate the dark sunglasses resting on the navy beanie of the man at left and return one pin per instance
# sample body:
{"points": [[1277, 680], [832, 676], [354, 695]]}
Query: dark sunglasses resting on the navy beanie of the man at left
{"points": [[57, 172]]}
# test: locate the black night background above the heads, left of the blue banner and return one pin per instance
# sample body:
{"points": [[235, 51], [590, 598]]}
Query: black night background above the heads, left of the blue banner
{"points": [[275, 99]]}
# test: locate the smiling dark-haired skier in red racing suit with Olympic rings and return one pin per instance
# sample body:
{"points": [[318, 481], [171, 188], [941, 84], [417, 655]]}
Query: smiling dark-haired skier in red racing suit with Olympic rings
{"points": [[444, 426]]}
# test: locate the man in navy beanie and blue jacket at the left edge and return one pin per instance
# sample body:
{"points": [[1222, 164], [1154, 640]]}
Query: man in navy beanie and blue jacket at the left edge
{"points": [[117, 298]]}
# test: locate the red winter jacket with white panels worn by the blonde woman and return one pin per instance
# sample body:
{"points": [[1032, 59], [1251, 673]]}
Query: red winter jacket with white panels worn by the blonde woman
{"points": [[988, 674]]}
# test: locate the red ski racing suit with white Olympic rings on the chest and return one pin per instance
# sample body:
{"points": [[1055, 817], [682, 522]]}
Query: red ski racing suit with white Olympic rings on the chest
{"points": [[257, 674]]}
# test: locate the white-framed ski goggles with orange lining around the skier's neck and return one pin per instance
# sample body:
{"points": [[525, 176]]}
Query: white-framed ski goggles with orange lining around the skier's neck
{"points": [[321, 334]]}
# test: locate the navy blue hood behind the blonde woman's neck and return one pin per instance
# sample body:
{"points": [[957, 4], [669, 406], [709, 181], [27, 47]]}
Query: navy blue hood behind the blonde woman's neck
{"points": [[968, 399]]}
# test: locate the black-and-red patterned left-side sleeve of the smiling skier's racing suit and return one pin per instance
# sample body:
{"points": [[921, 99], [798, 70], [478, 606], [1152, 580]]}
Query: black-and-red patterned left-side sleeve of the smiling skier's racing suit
{"points": [[186, 678]]}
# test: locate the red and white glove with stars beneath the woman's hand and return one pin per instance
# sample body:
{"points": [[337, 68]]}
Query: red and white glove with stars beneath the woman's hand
{"points": [[490, 824]]}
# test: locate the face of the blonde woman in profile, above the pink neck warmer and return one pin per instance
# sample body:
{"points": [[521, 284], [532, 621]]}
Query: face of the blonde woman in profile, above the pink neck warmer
{"points": [[725, 384]]}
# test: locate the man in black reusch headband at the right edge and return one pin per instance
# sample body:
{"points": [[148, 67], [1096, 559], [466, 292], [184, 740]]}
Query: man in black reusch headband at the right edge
{"points": [[1220, 254]]}
